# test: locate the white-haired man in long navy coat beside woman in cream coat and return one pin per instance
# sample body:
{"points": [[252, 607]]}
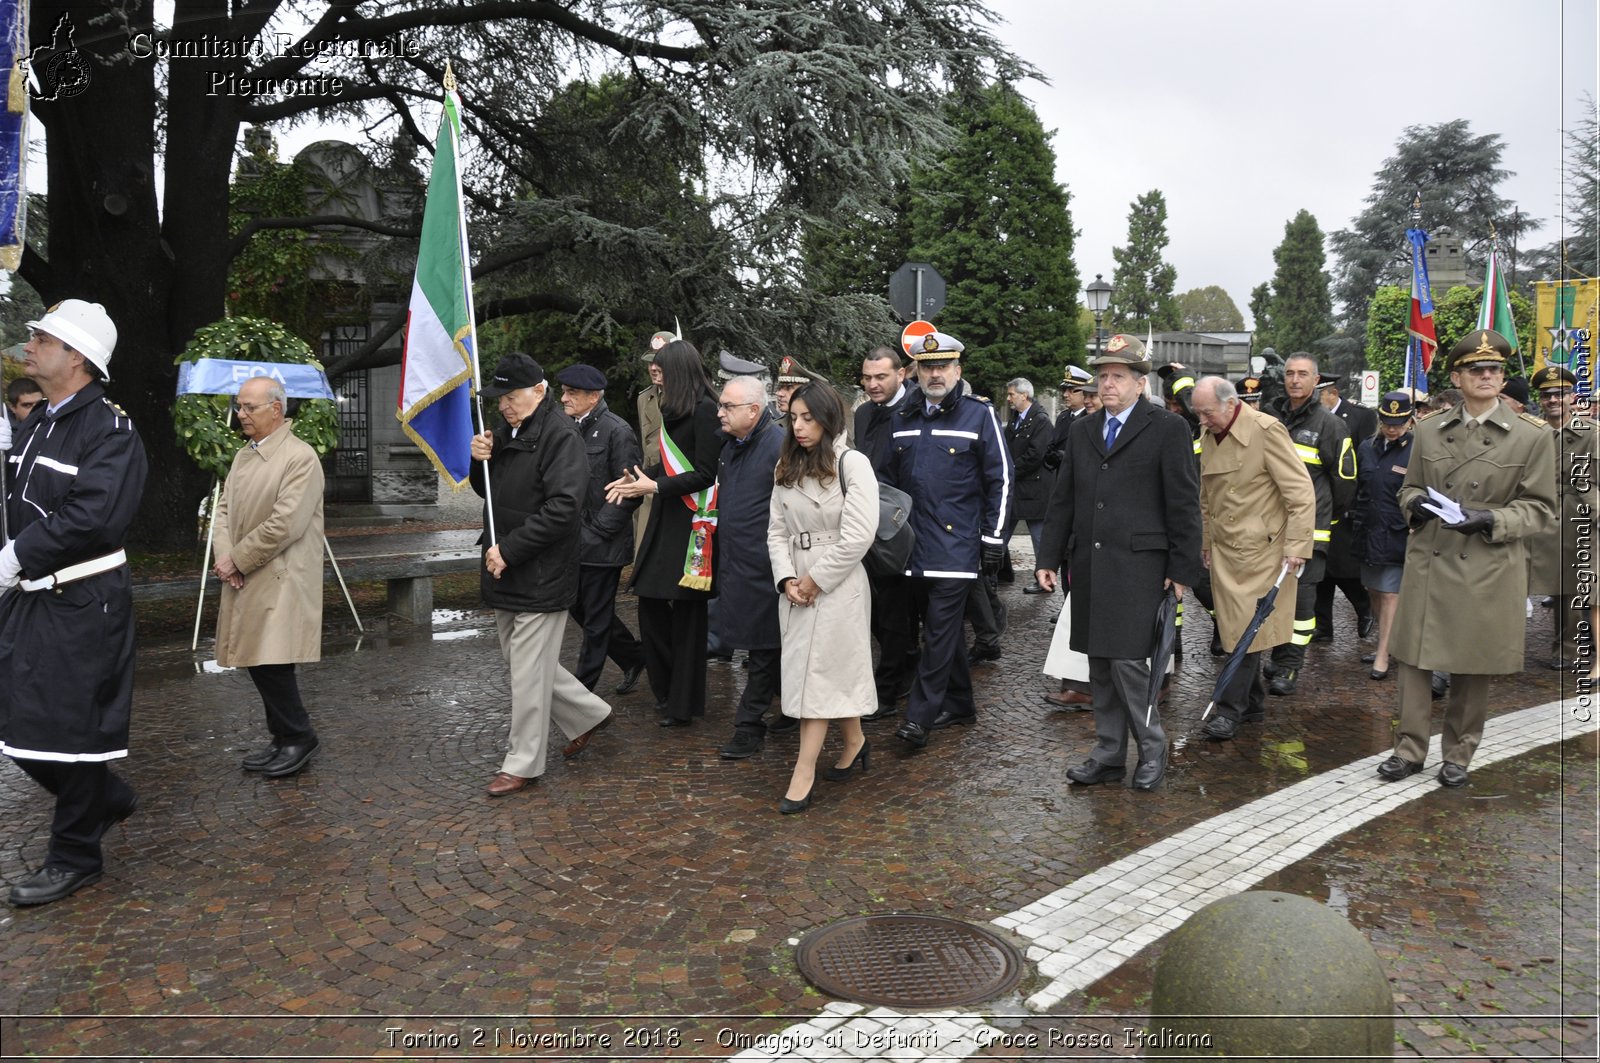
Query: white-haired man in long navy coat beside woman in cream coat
{"points": [[746, 603]]}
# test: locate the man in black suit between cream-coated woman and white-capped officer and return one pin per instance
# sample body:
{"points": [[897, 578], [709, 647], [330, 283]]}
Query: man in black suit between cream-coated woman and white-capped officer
{"points": [[895, 622]]}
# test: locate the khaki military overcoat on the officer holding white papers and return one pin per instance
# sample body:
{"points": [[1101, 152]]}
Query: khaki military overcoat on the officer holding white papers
{"points": [[1463, 596]]}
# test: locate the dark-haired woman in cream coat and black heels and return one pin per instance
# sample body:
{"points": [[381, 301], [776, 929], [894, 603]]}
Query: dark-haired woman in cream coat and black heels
{"points": [[823, 518]]}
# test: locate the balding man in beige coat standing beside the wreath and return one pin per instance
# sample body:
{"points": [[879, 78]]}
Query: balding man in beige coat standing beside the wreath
{"points": [[270, 560]]}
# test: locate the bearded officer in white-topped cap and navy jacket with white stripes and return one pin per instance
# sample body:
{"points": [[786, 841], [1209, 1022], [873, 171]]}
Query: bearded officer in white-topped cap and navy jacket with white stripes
{"points": [[951, 459]]}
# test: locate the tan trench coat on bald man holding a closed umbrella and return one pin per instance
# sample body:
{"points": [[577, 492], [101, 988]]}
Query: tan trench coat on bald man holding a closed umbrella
{"points": [[1258, 507]]}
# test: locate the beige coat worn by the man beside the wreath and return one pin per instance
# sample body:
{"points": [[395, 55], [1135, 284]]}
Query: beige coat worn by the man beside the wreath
{"points": [[270, 523]]}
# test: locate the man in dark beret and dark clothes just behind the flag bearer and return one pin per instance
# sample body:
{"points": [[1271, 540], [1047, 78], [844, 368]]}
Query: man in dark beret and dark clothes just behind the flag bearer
{"points": [[607, 542]]}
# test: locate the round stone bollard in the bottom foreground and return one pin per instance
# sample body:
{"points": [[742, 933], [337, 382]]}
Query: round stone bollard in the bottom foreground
{"points": [[1271, 976]]}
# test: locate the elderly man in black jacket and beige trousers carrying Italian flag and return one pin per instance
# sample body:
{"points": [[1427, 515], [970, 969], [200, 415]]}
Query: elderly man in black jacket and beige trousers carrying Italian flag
{"points": [[538, 478]]}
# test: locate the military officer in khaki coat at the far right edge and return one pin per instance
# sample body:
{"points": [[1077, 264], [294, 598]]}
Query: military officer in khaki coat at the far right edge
{"points": [[1558, 568]]}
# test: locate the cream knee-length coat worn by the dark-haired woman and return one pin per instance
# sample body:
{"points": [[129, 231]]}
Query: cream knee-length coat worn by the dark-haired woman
{"points": [[828, 646]]}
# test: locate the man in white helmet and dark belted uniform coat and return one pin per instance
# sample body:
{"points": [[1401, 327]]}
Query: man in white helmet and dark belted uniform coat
{"points": [[66, 606]]}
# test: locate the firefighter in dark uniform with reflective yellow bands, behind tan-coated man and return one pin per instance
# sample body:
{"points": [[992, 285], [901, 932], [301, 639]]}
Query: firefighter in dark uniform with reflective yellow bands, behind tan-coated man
{"points": [[1324, 444]]}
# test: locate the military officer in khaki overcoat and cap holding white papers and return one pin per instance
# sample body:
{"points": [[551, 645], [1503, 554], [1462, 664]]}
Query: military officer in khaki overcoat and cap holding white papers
{"points": [[1500, 468]]}
